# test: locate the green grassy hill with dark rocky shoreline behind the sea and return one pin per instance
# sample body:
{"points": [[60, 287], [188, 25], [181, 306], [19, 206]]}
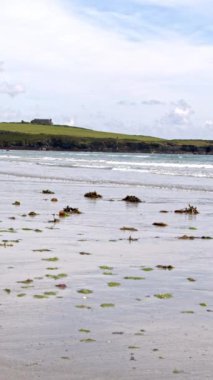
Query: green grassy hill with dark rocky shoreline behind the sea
{"points": [[62, 137]]}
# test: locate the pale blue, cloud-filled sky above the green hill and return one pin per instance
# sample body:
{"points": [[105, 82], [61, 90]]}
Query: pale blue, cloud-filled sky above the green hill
{"points": [[131, 66]]}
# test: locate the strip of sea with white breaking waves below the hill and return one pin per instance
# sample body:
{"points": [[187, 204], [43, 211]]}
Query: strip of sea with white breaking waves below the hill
{"points": [[189, 172]]}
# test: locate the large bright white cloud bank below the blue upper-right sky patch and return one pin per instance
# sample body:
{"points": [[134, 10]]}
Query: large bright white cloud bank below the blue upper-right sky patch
{"points": [[64, 61]]}
